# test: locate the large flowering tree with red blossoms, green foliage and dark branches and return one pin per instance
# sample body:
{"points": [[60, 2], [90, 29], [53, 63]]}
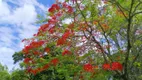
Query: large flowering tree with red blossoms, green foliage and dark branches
{"points": [[88, 39]]}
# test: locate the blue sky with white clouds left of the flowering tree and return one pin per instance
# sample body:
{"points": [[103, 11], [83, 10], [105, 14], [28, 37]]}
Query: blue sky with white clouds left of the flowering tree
{"points": [[17, 21]]}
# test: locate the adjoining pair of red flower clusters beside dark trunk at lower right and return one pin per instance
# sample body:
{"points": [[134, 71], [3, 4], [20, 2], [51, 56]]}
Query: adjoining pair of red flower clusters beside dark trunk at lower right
{"points": [[113, 66]]}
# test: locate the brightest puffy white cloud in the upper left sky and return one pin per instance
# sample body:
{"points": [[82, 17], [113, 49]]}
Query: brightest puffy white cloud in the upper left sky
{"points": [[25, 14]]}
